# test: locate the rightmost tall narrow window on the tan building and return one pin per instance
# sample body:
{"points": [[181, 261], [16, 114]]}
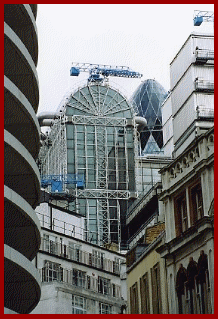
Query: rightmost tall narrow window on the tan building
{"points": [[156, 292]]}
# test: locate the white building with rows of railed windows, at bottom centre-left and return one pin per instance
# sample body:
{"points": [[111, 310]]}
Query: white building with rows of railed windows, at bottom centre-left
{"points": [[78, 277]]}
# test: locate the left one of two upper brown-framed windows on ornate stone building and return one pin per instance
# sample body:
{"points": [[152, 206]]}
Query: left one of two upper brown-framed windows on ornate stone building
{"points": [[181, 218]]}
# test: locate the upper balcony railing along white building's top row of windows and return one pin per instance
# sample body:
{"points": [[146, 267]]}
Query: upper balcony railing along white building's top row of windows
{"points": [[80, 256]]}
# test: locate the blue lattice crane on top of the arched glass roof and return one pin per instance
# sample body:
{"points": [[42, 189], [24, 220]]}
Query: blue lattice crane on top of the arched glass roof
{"points": [[99, 73]]}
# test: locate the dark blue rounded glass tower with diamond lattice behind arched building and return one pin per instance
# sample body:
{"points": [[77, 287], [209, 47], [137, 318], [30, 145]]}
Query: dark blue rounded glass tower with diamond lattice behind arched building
{"points": [[149, 97]]}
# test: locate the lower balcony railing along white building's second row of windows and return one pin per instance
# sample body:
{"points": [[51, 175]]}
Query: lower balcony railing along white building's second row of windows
{"points": [[90, 283]]}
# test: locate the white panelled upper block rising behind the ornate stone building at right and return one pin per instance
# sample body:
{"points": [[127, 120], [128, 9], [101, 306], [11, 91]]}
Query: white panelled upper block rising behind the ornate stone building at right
{"points": [[189, 107]]}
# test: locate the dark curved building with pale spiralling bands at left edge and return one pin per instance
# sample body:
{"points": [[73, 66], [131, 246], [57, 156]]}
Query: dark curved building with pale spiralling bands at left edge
{"points": [[22, 287]]}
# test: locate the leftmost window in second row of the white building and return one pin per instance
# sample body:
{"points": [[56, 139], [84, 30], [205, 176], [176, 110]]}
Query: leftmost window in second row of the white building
{"points": [[52, 272]]}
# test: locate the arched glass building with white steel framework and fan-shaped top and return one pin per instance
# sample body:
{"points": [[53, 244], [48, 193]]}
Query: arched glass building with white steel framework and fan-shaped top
{"points": [[95, 136]]}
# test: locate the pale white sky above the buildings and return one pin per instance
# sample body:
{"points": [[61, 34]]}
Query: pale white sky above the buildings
{"points": [[144, 37]]}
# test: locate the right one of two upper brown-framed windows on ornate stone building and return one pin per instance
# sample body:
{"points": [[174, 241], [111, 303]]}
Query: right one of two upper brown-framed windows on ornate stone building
{"points": [[196, 209]]}
